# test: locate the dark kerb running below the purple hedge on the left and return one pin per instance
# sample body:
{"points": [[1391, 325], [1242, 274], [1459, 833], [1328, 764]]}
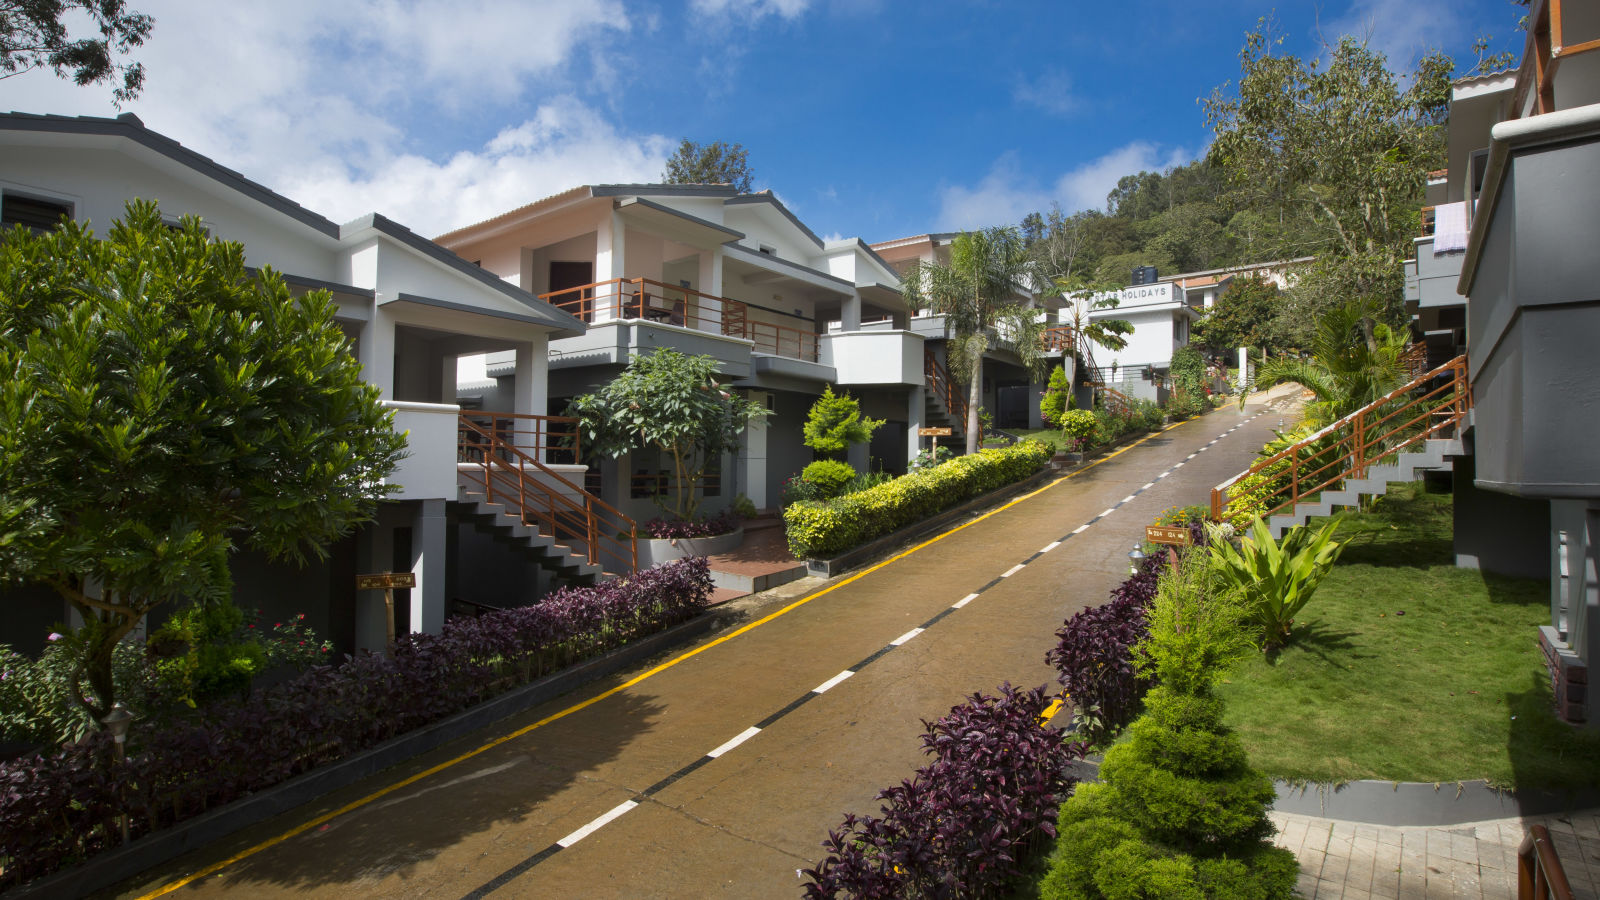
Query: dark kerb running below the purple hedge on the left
{"points": [[151, 851]]}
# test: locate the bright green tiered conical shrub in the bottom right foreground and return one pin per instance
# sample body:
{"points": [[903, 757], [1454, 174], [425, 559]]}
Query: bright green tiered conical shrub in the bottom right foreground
{"points": [[1178, 811]]}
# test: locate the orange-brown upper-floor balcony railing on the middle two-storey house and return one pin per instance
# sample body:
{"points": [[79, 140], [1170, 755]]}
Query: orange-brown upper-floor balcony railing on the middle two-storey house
{"points": [[673, 305]]}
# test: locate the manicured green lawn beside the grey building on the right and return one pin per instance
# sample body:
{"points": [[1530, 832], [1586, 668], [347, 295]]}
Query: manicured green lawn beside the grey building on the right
{"points": [[1412, 670]]}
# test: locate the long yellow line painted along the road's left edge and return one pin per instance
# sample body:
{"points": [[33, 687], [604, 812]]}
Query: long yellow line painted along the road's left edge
{"points": [[356, 805]]}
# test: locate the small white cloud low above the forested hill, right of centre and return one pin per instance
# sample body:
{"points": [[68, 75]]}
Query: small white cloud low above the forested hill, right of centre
{"points": [[1007, 193]]}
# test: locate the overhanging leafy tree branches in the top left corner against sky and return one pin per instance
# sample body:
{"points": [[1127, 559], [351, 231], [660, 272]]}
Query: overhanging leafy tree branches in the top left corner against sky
{"points": [[34, 36]]}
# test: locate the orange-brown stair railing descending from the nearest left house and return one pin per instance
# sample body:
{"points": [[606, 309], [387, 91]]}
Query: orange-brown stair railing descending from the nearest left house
{"points": [[535, 492]]}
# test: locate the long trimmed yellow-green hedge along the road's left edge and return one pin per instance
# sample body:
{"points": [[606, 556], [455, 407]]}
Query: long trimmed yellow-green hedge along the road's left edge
{"points": [[822, 529]]}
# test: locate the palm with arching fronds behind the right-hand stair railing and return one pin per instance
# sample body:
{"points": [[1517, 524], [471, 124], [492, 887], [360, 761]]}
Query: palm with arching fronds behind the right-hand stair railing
{"points": [[1354, 361]]}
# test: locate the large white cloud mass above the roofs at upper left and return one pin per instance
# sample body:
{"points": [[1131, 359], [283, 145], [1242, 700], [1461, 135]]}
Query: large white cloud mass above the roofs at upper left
{"points": [[338, 105]]}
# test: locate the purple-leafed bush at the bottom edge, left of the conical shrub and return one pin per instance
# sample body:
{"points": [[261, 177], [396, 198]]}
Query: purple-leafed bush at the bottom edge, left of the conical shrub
{"points": [[969, 821]]}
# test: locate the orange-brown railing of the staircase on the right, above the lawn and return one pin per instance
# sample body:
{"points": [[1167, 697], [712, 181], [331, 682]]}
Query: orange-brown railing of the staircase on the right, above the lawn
{"points": [[1428, 406]]}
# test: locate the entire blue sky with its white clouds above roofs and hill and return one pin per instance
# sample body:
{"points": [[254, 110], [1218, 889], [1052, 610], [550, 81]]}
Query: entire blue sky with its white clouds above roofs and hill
{"points": [[871, 119]]}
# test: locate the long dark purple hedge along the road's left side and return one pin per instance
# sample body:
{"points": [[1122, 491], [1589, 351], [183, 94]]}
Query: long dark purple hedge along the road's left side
{"points": [[63, 808]]}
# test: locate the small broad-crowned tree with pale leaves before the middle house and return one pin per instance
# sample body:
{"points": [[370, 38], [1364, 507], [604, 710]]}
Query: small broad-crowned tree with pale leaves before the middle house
{"points": [[673, 403]]}
